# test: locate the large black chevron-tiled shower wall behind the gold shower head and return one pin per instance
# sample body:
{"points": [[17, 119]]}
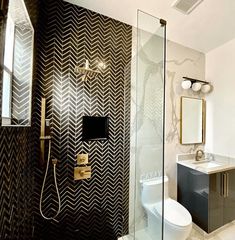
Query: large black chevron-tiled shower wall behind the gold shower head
{"points": [[94, 209]]}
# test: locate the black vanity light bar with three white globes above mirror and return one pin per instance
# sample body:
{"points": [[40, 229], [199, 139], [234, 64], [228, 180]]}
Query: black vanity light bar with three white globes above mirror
{"points": [[196, 85]]}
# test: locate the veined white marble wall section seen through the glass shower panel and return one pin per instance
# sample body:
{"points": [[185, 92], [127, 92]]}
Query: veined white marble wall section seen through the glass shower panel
{"points": [[147, 111]]}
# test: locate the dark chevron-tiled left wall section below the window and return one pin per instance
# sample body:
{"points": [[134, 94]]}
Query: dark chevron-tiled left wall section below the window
{"points": [[16, 184]]}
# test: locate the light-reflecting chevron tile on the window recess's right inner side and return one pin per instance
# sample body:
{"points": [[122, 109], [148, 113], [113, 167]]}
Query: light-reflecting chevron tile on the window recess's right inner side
{"points": [[21, 86]]}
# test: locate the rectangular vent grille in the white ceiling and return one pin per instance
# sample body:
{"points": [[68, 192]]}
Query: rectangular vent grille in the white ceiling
{"points": [[186, 6]]}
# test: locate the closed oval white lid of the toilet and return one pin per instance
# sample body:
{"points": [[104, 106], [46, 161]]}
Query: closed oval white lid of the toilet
{"points": [[174, 213]]}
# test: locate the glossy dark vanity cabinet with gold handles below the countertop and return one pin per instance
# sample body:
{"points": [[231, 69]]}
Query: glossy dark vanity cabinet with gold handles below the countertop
{"points": [[210, 198]]}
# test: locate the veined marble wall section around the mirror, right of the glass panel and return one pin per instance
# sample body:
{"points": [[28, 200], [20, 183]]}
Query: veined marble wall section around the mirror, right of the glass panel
{"points": [[181, 62]]}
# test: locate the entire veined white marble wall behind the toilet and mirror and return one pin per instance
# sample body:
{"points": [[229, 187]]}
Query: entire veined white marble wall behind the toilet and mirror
{"points": [[146, 108]]}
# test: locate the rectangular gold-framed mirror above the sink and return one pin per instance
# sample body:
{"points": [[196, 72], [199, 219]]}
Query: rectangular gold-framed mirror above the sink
{"points": [[192, 121]]}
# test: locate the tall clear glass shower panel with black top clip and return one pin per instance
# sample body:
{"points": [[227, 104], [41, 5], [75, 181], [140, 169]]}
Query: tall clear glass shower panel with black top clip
{"points": [[149, 115]]}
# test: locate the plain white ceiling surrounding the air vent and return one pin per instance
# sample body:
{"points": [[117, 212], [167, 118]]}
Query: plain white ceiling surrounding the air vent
{"points": [[210, 25]]}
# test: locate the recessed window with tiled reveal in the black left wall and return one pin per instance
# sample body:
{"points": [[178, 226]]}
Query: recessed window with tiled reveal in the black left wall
{"points": [[17, 66]]}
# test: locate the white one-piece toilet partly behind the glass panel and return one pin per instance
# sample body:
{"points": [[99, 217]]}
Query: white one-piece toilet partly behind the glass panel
{"points": [[177, 219]]}
